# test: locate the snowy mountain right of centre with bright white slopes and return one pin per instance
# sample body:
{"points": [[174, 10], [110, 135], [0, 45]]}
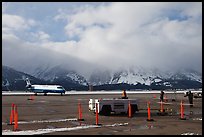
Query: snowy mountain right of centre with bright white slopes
{"points": [[141, 75]]}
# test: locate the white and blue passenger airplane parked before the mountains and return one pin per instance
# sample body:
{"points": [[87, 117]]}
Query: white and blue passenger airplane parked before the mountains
{"points": [[44, 88]]}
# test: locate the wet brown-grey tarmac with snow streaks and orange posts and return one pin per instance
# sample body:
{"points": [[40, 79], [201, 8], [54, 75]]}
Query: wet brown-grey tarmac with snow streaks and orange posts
{"points": [[58, 115]]}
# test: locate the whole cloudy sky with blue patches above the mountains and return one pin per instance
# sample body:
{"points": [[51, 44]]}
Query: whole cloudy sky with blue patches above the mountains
{"points": [[113, 35]]}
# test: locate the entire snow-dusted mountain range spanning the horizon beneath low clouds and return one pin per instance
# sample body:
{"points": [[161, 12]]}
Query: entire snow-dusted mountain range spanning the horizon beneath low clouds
{"points": [[131, 79]]}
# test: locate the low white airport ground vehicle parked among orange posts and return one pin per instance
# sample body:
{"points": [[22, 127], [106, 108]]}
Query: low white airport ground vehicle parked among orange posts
{"points": [[108, 106]]}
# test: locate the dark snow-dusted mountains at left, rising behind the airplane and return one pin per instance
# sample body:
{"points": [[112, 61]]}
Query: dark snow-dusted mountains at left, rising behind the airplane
{"points": [[15, 80]]}
